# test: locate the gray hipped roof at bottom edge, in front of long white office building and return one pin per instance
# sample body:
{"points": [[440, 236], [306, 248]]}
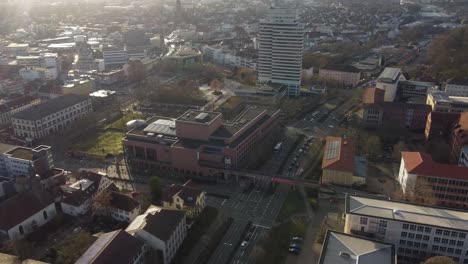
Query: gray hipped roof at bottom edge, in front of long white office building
{"points": [[341, 248]]}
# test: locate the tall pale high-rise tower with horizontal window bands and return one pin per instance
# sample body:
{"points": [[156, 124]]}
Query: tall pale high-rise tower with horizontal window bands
{"points": [[281, 46]]}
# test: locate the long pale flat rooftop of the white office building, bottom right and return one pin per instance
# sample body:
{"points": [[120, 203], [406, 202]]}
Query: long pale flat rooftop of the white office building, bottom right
{"points": [[406, 212]]}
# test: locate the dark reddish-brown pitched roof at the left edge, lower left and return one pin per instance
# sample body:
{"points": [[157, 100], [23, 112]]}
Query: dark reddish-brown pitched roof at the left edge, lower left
{"points": [[22, 206]]}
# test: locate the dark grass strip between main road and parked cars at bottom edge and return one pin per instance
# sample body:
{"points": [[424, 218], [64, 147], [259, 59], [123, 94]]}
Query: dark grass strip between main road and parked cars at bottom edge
{"points": [[275, 246]]}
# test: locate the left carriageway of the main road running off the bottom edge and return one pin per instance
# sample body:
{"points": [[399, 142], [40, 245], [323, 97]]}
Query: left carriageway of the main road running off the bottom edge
{"points": [[229, 242]]}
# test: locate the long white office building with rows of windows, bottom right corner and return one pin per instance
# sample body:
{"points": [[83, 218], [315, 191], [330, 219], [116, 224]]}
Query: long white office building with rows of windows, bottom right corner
{"points": [[418, 232]]}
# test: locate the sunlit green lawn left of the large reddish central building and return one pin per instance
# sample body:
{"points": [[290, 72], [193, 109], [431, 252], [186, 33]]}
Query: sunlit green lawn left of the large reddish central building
{"points": [[101, 143]]}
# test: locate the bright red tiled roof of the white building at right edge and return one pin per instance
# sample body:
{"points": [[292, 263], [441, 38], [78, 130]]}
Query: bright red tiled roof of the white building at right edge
{"points": [[422, 164]]}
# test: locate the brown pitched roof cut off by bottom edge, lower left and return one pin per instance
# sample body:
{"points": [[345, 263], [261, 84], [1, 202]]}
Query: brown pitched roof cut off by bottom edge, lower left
{"points": [[117, 247]]}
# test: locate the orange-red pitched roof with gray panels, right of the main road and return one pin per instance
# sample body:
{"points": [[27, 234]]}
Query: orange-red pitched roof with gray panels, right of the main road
{"points": [[339, 155]]}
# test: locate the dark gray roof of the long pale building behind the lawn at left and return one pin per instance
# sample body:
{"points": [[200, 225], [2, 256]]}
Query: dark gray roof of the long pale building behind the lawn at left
{"points": [[52, 106]]}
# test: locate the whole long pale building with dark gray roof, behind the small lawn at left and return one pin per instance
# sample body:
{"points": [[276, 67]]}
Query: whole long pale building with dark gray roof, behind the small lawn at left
{"points": [[51, 116]]}
